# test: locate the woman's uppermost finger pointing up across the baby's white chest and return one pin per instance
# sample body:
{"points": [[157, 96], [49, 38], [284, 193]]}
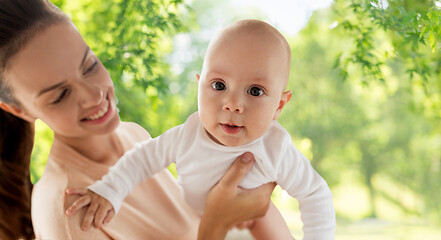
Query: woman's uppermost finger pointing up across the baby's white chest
{"points": [[238, 170]]}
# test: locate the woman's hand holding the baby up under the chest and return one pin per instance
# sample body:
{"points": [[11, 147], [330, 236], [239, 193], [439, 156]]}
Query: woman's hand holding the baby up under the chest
{"points": [[228, 205]]}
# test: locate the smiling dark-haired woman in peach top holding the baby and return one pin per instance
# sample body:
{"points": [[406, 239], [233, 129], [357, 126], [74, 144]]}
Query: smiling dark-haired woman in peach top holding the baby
{"points": [[48, 72]]}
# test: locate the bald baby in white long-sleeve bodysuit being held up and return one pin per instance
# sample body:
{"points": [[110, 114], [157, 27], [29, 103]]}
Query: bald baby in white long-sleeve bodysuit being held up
{"points": [[242, 91]]}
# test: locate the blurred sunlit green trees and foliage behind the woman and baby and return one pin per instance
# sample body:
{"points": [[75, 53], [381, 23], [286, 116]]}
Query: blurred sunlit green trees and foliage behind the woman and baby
{"points": [[366, 108]]}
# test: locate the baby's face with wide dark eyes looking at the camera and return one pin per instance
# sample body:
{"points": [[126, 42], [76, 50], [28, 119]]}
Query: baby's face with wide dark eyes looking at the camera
{"points": [[242, 89]]}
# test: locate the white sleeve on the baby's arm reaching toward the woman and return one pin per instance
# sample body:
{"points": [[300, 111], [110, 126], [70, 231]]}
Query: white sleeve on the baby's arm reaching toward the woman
{"points": [[144, 160]]}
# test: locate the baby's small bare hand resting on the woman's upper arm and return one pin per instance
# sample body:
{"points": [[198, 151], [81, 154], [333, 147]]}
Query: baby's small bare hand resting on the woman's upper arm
{"points": [[100, 210]]}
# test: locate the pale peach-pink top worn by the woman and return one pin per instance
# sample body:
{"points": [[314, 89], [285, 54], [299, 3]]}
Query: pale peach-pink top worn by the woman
{"points": [[154, 210]]}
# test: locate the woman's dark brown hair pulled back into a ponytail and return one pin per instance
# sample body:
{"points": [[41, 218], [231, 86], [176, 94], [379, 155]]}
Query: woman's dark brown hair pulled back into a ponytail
{"points": [[20, 20]]}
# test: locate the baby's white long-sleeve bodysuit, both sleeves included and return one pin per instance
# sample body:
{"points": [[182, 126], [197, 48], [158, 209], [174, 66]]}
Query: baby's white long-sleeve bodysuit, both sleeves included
{"points": [[201, 162]]}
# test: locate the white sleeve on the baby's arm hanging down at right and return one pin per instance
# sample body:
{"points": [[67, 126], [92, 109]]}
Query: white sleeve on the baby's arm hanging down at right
{"points": [[301, 181]]}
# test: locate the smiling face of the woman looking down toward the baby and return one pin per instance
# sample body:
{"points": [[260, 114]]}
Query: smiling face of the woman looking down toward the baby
{"points": [[59, 80]]}
